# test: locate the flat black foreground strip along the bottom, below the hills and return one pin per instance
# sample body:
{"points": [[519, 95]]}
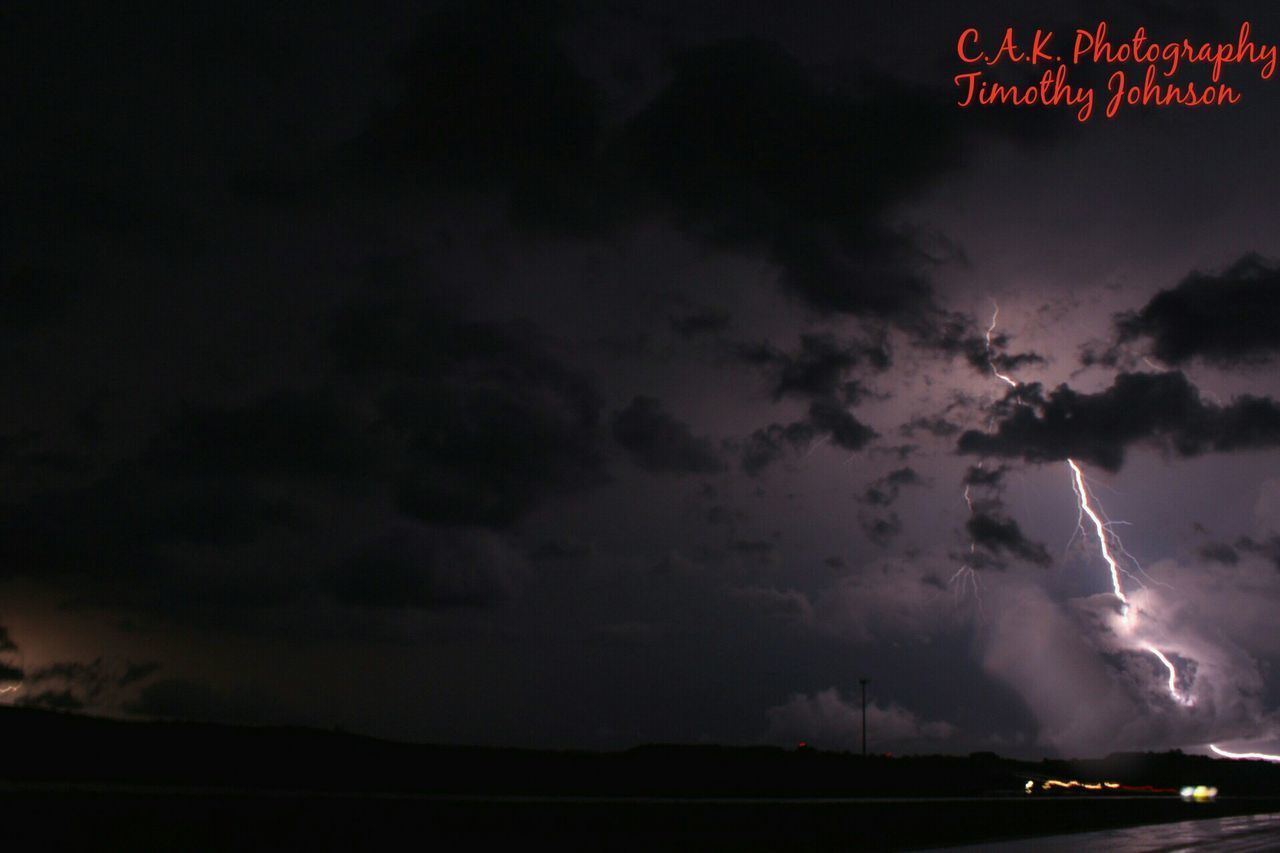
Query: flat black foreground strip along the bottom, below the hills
{"points": [[223, 822]]}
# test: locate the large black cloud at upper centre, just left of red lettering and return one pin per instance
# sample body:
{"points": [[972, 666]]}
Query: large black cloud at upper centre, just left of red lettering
{"points": [[751, 150]]}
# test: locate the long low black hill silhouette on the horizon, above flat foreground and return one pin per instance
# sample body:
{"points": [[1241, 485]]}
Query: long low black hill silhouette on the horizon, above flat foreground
{"points": [[53, 747]]}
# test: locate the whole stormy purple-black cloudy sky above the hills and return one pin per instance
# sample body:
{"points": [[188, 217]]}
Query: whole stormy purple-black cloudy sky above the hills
{"points": [[629, 372]]}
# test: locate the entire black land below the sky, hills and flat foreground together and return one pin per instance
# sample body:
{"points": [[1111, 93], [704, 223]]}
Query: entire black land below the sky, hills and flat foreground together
{"points": [[109, 784]]}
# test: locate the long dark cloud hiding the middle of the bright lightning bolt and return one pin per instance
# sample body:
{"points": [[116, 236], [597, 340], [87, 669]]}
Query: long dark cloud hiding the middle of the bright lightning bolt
{"points": [[1140, 408]]}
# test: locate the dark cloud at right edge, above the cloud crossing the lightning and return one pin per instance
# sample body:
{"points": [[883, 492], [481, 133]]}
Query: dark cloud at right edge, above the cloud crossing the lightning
{"points": [[1226, 320]]}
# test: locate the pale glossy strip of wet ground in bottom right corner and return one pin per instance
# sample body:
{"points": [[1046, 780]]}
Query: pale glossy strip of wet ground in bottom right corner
{"points": [[1224, 834]]}
